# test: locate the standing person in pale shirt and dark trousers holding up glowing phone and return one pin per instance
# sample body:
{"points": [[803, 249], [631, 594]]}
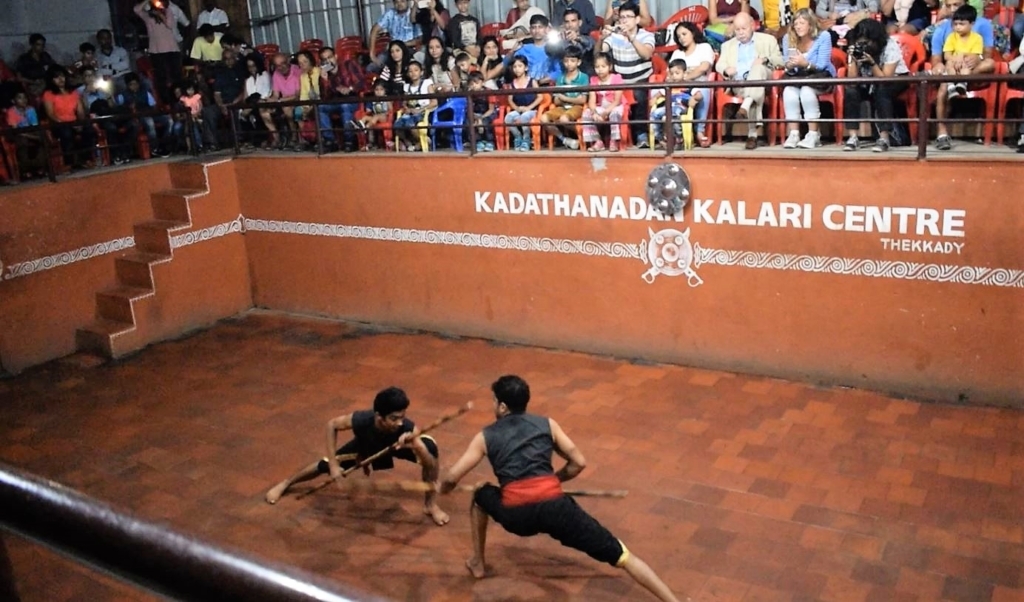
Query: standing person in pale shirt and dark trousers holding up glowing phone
{"points": [[163, 20]]}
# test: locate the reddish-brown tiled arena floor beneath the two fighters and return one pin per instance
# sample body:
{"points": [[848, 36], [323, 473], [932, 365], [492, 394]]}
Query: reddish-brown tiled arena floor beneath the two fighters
{"points": [[741, 489]]}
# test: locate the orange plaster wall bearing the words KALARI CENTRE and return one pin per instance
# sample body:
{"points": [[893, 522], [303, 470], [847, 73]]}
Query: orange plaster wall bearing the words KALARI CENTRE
{"points": [[941, 340]]}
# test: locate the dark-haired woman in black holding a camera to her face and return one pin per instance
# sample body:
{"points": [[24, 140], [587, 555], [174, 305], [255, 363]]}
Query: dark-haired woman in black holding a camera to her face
{"points": [[873, 54]]}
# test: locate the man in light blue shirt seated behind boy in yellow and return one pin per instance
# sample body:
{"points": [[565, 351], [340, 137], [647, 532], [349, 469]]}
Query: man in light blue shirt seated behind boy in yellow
{"points": [[972, 64]]}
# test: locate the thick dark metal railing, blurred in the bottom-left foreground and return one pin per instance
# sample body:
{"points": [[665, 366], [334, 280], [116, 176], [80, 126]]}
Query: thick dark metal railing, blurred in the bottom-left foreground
{"points": [[156, 558]]}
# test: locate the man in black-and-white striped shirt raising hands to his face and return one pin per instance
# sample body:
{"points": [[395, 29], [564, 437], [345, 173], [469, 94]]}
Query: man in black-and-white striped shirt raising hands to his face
{"points": [[631, 50]]}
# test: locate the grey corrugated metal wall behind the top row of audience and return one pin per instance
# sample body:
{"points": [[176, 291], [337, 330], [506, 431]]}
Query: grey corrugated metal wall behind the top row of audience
{"points": [[330, 20]]}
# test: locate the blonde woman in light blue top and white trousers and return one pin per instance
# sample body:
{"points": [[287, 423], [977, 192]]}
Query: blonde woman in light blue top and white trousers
{"points": [[808, 54]]}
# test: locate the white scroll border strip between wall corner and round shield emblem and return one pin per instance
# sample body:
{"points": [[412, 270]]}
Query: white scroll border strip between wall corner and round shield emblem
{"points": [[569, 247]]}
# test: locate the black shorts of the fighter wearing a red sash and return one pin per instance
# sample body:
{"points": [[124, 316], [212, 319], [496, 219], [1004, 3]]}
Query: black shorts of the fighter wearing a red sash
{"points": [[562, 519]]}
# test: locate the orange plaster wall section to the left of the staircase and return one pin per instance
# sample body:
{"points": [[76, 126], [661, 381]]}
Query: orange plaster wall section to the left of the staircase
{"points": [[40, 313]]}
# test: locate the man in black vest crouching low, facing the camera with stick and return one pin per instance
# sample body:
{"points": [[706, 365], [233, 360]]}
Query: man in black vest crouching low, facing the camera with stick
{"points": [[374, 431]]}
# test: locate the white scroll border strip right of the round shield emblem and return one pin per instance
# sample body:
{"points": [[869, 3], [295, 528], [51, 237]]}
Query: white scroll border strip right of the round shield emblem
{"points": [[906, 271]]}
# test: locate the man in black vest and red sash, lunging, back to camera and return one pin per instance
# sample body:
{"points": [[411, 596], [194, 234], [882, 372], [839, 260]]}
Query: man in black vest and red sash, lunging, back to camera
{"points": [[531, 500]]}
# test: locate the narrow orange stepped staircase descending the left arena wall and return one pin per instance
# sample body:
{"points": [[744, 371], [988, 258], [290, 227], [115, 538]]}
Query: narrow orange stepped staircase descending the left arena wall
{"points": [[116, 330]]}
